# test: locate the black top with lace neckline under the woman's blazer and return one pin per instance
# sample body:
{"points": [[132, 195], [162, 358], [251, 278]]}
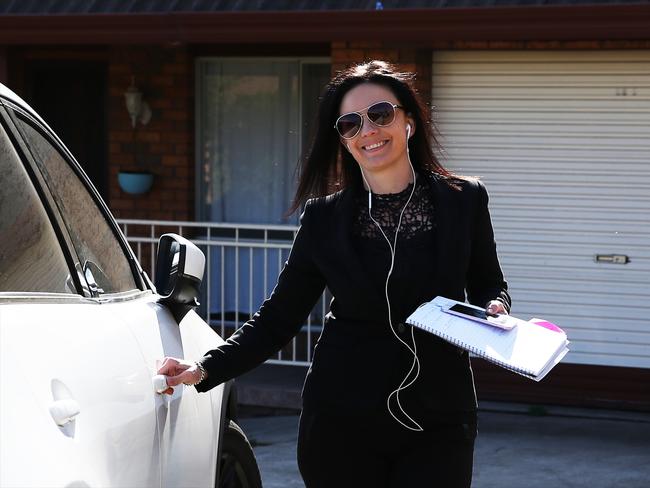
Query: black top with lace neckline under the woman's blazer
{"points": [[415, 250]]}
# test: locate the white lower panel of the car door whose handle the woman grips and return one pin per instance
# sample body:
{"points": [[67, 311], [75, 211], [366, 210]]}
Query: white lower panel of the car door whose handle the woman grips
{"points": [[189, 433]]}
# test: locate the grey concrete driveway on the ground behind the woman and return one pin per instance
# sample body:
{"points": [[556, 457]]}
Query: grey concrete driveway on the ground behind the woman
{"points": [[563, 447]]}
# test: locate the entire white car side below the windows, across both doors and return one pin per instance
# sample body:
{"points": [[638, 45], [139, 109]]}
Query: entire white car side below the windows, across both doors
{"points": [[115, 440]]}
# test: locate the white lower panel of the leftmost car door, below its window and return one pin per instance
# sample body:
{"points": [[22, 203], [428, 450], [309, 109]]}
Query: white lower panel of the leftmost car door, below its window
{"points": [[83, 353]]}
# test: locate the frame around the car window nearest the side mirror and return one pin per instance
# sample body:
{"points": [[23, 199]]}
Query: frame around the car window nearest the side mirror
{"points": [[14, 112]]}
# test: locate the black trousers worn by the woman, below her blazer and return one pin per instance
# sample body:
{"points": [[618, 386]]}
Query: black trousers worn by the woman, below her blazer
{"points": [[339, 451]]}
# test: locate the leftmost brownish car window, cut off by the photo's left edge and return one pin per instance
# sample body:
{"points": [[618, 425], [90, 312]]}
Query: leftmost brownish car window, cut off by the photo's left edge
{"points": [[31, 258]]}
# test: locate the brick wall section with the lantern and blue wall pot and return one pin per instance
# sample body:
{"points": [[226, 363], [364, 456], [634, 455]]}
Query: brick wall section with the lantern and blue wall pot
{"points": [[165, 145]]}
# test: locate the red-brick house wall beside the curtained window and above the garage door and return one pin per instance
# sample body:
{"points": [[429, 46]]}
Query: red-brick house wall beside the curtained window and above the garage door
{"points": [[165, 75]]}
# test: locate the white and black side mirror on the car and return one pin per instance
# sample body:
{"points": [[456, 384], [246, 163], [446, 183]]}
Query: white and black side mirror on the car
{"points": [[179, 272]]}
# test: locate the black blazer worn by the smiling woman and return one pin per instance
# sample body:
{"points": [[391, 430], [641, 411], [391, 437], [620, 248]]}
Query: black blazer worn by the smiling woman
{"points": [[357, 361]]}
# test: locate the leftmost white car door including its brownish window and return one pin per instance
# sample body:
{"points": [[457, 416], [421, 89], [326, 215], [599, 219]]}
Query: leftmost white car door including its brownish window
{"points": [[77, 400]]}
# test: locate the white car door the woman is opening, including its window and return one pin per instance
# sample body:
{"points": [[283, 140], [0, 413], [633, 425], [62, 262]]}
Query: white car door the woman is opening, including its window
{"points": [[187, 430]]}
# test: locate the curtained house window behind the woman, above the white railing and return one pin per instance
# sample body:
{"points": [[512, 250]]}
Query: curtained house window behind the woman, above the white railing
{"points": [[254, 118]]}
